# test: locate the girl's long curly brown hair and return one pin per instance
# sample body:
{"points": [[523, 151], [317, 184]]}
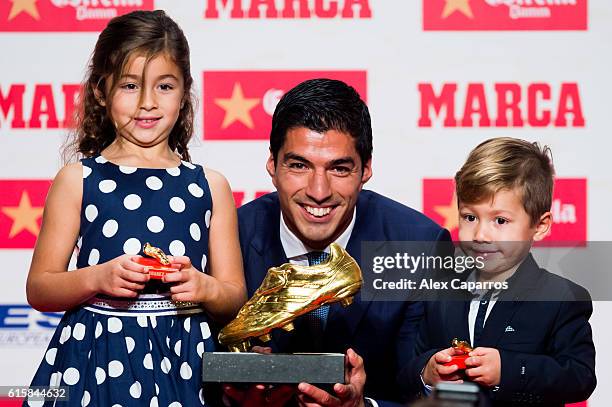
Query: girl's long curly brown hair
{"points": [[140, 33]]}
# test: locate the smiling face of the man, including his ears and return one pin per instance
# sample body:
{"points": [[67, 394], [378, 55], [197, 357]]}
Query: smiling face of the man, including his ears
{"points": [[318, 177]]}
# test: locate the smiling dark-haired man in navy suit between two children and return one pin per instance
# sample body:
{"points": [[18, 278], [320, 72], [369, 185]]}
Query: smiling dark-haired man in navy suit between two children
{"points": [[320, 158]]}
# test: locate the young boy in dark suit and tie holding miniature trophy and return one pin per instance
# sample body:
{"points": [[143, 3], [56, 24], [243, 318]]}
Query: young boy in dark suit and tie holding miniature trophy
{"points": [[532, 341]]}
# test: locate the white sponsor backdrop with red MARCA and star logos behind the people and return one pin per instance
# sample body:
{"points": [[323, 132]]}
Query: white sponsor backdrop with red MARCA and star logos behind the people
{"points": [[440, 76]]}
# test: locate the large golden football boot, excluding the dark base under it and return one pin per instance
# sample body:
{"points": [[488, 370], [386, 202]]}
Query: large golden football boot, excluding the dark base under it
{"points": [[289, 291]]}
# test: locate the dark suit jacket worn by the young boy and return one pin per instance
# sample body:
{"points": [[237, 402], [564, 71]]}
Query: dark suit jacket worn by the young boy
{"points": [[546, 347]]}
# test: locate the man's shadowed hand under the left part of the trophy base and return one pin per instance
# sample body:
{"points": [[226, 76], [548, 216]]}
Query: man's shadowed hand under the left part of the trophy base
{"points": [[259, 394]]}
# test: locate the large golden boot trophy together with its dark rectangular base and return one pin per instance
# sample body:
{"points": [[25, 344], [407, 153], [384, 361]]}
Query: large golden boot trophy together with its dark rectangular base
{"points": [[286, 292]]}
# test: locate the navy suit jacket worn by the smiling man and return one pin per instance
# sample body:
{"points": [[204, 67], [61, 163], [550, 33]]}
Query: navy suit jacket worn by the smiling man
{"points": [[383, 333]]}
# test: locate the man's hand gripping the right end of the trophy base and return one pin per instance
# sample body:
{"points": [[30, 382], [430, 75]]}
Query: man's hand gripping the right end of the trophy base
{"points": [[346, 395]]}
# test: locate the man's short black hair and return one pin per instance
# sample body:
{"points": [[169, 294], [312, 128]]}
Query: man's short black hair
{"points": [[322, 105]]}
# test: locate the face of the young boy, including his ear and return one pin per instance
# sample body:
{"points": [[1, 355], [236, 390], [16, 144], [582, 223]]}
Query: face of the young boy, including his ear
{"points": [[499, 230]]}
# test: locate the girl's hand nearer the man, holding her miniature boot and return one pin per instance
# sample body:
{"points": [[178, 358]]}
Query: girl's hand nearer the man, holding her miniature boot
{"points": [[190, 284]]}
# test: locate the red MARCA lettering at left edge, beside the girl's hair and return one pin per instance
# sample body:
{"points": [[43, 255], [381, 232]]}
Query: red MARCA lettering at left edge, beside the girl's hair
{"points": [[42, 112]]}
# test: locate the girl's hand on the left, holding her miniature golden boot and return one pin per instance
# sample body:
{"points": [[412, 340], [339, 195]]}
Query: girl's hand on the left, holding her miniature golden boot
{"points": [[121, 277]]}
